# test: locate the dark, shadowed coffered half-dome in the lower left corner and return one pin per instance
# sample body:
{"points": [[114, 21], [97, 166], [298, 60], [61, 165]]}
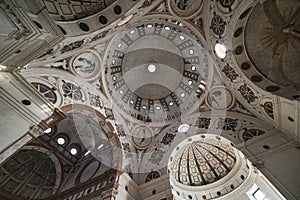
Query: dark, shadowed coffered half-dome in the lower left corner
{"points": [[30, 174]]}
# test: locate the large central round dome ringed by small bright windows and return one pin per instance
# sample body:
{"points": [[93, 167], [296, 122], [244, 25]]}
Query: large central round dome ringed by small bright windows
{"points": [[153, 71]]}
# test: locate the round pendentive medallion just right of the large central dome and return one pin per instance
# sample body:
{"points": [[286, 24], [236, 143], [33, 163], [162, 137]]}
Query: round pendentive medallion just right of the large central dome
{"points": [[219, 98]]}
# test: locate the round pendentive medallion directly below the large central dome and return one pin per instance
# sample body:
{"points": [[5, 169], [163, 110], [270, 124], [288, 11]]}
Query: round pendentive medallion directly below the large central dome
{"points": [[142, 136]]}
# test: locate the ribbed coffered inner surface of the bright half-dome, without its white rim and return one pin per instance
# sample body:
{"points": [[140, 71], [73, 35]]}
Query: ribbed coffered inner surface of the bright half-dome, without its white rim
{"points": [[202, 162]]}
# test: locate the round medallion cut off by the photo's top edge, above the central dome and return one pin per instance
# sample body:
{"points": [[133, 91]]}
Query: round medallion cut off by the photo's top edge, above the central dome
{"points": [[185, 8]]}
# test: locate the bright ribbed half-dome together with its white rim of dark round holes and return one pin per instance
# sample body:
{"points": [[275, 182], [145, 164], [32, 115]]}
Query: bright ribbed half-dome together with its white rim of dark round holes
{"points": [[206, 166]]}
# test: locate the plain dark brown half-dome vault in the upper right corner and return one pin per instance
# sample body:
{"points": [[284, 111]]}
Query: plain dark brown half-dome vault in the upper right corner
{"points": [[276, 26]]}
